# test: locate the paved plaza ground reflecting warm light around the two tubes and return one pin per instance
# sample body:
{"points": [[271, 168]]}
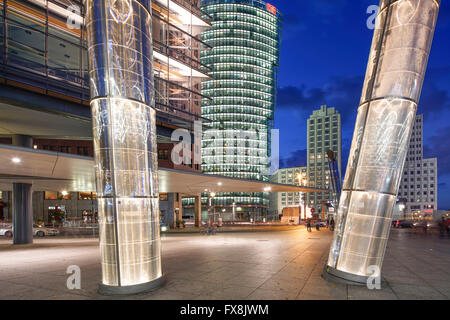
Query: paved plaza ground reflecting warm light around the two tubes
{"points": [[236, 265]]}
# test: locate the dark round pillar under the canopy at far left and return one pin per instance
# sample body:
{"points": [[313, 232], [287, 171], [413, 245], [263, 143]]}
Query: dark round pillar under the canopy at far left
{"points": [[22, 213]]}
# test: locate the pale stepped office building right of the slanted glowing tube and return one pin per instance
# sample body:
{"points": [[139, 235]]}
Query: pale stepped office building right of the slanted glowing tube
{"points": [[419, 185]]}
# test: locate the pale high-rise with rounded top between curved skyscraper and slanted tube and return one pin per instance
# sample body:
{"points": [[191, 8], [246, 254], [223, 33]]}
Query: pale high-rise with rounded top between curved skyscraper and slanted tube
{"points": [[324, 133]]}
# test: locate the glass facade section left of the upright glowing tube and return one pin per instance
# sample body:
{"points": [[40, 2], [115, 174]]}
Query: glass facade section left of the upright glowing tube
{"points": [[41, 48]]}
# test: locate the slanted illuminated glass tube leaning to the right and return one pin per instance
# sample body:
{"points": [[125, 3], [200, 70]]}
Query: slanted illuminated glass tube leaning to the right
{"points": [[394, 78]]}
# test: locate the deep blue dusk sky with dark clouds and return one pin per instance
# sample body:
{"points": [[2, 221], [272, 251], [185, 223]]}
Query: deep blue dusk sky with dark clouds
{"points": [[324, 51]]}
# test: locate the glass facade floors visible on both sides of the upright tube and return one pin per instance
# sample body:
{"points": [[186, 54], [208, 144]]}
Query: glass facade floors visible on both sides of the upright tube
{"points": [[43, 45]]}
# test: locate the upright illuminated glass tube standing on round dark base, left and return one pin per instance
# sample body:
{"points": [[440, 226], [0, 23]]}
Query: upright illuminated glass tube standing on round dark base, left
{"points": [[124, 131]]}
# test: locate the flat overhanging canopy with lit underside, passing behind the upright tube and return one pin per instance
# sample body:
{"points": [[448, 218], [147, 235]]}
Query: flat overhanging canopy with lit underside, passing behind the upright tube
{"points": [[54, 171]]}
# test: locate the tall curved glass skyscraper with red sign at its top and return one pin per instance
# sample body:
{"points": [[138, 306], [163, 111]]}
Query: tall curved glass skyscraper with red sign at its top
{"points": [[245, 41]]}
